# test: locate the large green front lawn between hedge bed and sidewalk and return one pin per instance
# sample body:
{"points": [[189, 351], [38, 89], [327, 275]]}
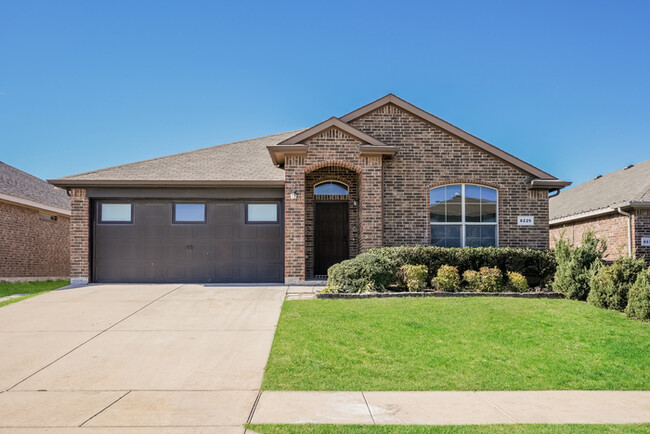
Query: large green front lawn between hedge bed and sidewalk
{"points": [[456, 344]]}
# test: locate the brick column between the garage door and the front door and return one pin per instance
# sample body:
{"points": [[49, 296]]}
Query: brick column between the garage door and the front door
{"points": [[294, 220]]}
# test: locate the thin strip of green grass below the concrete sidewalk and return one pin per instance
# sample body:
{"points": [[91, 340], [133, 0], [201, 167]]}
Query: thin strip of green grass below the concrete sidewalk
{"points": [[411, 429]]}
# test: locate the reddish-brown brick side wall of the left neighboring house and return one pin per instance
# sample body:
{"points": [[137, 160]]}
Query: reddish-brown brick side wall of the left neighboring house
{"points": [[31, 246]]}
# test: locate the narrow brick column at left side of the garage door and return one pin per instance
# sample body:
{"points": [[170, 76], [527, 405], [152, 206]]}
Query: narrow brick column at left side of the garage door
{"points": [[79, 237]]}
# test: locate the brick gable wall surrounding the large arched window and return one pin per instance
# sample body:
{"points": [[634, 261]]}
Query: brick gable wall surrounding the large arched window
{"points": [[428, 156]]}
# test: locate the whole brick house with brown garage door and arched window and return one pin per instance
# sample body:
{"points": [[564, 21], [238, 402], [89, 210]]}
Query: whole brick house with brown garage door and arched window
{"points": [[286, 207]]}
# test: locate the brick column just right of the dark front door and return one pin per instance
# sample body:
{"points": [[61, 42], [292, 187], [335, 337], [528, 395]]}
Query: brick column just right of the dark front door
{"points": [[371, 221]]}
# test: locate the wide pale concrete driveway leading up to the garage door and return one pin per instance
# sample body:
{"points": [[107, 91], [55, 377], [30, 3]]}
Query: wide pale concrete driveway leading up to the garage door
{"points": [[159, 358]]}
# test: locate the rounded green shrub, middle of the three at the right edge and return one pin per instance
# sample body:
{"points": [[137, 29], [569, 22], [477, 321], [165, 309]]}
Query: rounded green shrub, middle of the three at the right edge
{"points": [[609, 286]]}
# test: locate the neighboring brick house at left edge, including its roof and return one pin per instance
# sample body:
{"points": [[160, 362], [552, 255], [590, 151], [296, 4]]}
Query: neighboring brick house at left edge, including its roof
{"points": [[34, 228]]}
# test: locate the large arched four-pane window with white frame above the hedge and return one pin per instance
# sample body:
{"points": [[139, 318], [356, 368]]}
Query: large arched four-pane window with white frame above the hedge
{"points": [[463, 215]]}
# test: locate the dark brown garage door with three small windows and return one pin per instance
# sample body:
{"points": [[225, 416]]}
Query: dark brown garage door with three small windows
{"points": [[151, 247]]}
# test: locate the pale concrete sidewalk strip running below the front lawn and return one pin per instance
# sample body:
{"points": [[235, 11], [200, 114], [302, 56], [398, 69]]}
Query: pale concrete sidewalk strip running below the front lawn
{"points": [[453, 408]]}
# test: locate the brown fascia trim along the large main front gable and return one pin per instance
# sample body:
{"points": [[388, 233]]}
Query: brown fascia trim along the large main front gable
{"points": [[499, 153]]}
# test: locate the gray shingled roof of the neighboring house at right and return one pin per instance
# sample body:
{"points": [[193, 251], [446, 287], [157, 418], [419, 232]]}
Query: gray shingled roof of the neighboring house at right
{"points": [[615, 189]]}
